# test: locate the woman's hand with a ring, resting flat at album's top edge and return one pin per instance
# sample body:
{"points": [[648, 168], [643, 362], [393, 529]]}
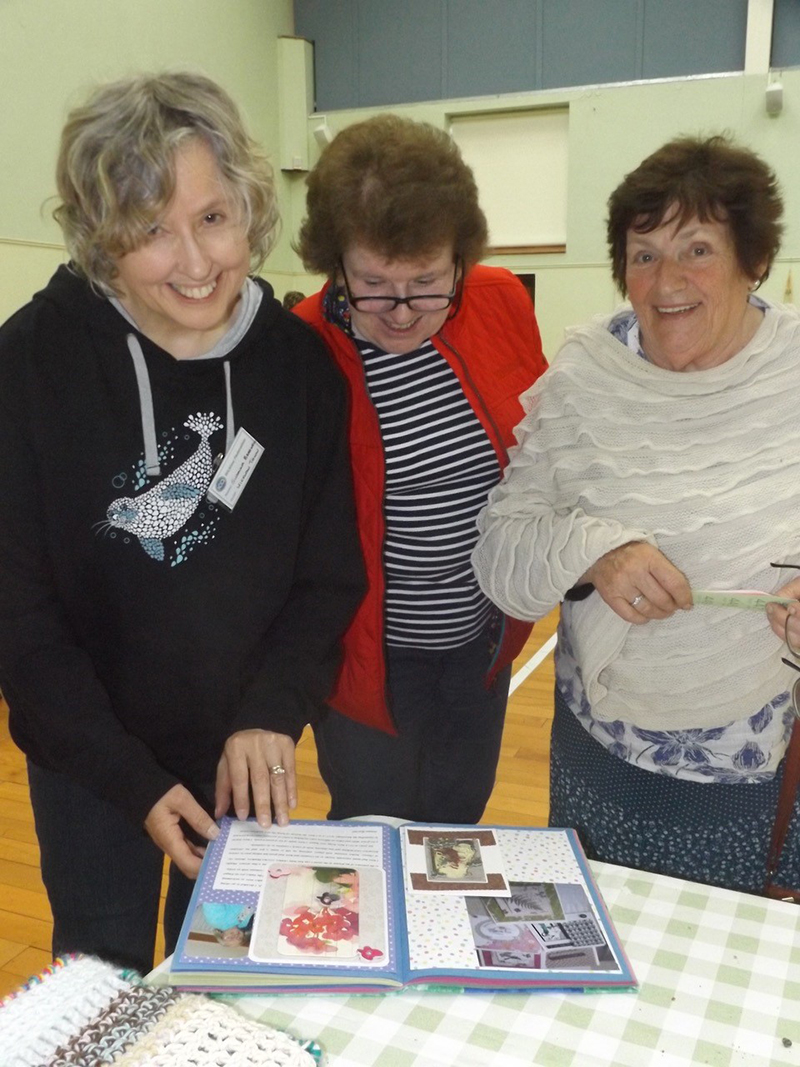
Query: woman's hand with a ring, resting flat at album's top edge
{"points": [[262, 763]]}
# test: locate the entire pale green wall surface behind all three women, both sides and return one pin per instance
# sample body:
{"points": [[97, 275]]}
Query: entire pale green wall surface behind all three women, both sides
{"points": [[53, 51]]}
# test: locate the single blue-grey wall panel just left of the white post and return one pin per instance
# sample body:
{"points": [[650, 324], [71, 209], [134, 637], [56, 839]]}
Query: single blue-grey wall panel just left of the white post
{"points": [[694, 37]]}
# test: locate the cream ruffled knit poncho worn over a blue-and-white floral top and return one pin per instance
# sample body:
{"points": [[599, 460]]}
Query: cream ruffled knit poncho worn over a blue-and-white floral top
{"points": [[703, 465]]}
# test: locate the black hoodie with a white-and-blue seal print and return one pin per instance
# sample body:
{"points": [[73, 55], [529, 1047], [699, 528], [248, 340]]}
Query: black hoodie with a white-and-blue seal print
{"points": [[132, 650]]}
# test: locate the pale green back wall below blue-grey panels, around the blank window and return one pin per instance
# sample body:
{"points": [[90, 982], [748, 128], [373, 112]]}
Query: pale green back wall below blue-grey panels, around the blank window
{"points": [[612, 130]]}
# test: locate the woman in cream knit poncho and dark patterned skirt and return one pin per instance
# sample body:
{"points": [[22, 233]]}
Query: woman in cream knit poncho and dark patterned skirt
{"points": [[661, 454]]}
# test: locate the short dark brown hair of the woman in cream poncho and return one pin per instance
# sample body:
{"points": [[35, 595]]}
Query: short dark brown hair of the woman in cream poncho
{"points": [[711, 179]]}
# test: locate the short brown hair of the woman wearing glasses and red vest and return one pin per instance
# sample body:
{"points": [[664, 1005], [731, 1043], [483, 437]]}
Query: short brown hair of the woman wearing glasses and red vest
{"points": [[398, 187]]}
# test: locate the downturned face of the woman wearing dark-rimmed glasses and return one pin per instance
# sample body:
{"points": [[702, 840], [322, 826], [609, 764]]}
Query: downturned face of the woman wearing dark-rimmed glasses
{"points": [[371, 275]]}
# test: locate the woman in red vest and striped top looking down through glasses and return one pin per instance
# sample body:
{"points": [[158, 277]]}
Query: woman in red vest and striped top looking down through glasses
{"points": [[437, 352]]}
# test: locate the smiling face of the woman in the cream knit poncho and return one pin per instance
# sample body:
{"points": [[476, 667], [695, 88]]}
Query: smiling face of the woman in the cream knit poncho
{"points": [[690, 295]]}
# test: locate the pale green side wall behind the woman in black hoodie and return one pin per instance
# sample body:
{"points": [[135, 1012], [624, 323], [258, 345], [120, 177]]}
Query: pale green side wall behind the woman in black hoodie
{"points": [[53, 52]]}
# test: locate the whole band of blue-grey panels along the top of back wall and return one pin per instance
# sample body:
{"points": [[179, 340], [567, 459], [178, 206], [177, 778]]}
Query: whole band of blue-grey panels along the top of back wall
{"points": [[380, 53]]}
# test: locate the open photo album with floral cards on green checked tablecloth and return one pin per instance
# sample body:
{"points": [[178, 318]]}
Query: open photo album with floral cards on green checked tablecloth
{"points": [[366, 907]]}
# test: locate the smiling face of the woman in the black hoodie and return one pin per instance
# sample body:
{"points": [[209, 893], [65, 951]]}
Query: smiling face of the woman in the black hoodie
{"points": [[182, 286]]}
